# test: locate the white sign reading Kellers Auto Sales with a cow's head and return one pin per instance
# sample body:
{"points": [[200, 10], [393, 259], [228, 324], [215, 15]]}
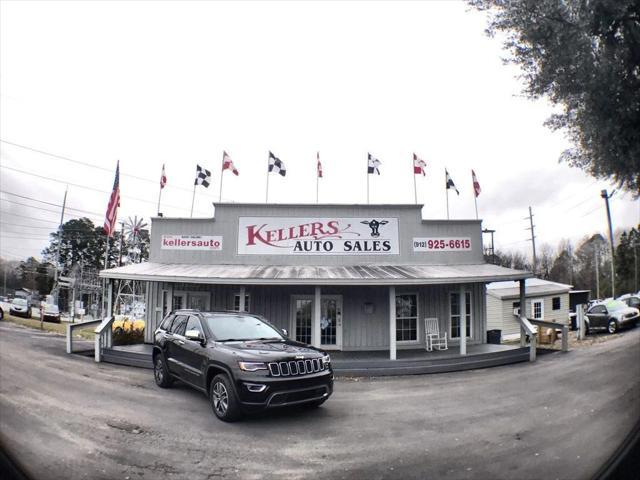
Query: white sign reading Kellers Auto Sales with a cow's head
{"points": [[317, 236]]}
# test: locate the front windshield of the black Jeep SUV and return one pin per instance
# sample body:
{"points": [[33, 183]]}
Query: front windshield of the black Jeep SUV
{"points": [[239, 327]]}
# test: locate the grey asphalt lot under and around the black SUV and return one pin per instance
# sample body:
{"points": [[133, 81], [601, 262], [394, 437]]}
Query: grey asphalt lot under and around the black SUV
{"points": [[65, 416]]}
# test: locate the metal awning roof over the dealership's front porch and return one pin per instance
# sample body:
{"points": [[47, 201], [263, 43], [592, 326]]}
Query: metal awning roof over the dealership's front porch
{"points": [[315, 275]]}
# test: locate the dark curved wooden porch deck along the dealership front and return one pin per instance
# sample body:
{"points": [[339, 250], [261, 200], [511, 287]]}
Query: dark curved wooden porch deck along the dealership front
{"points": [[372, 363]]}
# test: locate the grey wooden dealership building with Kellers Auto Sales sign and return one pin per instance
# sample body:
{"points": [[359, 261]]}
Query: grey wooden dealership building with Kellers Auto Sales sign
{"points": [[340, 277]]}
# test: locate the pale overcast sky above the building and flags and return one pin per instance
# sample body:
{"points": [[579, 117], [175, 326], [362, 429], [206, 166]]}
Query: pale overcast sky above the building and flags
{"points": [[177, 83]]}
